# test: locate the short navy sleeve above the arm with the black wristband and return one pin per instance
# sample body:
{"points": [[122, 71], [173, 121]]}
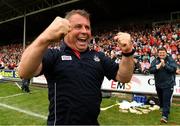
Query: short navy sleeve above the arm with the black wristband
{"points": [[110, 67]]}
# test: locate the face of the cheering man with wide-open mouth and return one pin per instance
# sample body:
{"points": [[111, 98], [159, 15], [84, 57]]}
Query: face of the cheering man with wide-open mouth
{"points": [[80, 35]]}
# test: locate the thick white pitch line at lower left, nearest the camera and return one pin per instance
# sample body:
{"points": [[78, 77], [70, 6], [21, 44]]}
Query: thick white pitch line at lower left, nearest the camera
{"points": [[23, 111]]}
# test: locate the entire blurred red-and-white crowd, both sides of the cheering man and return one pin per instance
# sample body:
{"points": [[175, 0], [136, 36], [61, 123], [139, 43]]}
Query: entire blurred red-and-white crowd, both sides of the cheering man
{"points": [[146, 40]]}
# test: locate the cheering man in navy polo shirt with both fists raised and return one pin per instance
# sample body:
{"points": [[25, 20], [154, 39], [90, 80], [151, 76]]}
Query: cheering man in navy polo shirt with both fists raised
{"points": [[74, 73]]}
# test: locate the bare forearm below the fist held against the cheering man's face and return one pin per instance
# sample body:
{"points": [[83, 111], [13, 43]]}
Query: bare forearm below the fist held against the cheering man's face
{"points": [[32, 58]]}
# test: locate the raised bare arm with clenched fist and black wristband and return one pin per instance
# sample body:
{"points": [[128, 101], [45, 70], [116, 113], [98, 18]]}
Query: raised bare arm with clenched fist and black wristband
{"points": [[126, 66]]}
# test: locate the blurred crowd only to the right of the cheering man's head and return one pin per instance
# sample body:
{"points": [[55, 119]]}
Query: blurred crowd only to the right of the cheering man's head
{"points": [[146, 40]]}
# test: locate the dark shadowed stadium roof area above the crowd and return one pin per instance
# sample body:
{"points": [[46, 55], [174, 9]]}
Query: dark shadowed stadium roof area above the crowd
{"points": [[40, 13]]}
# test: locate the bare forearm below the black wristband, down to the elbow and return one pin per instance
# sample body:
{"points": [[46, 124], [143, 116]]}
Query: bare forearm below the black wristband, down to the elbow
{"points": [[126, 68]]}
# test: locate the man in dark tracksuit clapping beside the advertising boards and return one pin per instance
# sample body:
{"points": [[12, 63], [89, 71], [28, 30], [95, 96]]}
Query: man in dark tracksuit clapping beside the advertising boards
{"points": [[164, 70]]}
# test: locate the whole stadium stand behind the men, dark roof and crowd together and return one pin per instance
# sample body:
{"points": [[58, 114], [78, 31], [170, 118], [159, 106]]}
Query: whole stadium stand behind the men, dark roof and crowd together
{"points": [[138, 19]]}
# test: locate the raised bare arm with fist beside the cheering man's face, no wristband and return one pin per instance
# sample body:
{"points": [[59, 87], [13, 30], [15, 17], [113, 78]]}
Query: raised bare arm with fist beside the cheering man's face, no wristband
{"points": [[30, 64]]}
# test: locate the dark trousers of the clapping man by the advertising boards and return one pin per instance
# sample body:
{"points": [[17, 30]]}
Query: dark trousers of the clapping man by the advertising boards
{"points": [[164, 96]]}
